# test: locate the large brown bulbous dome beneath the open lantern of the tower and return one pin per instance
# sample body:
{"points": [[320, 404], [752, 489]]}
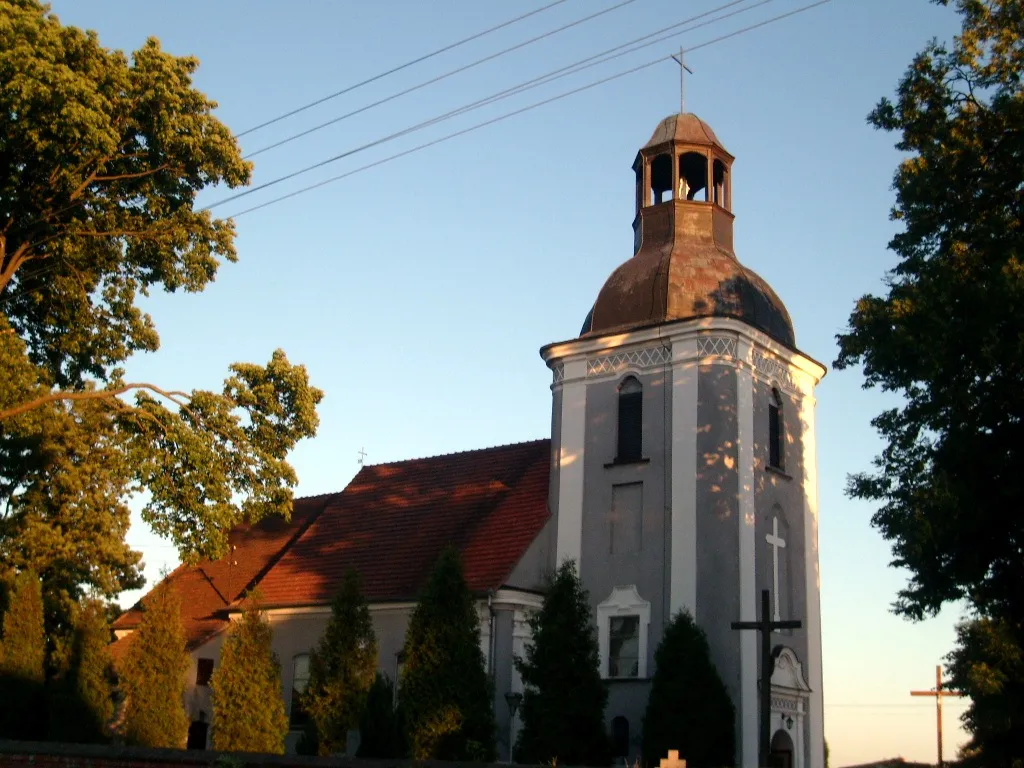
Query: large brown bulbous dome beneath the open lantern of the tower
{"points": [[670, 285]]}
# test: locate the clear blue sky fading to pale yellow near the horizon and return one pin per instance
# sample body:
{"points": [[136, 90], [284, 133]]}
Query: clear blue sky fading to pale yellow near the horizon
{"points": [[419, 292]]}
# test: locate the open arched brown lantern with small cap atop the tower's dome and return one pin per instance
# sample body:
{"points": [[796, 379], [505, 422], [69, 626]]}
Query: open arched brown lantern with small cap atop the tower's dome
{"points": [[684, 186]]}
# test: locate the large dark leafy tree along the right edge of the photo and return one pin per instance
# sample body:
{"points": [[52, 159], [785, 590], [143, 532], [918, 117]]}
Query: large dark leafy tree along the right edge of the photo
{"points": [[949, 335]]}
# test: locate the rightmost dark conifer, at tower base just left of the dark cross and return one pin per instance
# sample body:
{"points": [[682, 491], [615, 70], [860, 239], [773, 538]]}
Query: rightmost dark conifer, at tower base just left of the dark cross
{"points": [[690, 708]]}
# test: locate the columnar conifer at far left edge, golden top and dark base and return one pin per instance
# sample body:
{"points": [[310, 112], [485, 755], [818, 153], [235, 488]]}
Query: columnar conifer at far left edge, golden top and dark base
{"points": [[23, 706]]}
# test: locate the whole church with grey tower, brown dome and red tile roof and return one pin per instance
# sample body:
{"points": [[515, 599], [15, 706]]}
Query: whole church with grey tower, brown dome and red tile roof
{"points": [[680, 475]]}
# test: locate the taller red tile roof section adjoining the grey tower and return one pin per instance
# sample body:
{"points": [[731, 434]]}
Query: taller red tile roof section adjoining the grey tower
{"points": [[394, 521]]}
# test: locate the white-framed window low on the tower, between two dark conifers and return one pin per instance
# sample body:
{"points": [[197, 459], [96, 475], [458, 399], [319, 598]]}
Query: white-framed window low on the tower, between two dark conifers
{"points": [[624, 621]]}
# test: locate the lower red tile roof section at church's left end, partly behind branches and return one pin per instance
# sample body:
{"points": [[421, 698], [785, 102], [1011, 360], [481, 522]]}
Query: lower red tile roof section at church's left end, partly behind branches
{"points": [[208, 589]]}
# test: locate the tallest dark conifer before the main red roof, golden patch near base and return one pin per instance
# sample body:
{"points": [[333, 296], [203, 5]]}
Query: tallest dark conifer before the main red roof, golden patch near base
{"points": [[445, 694]]}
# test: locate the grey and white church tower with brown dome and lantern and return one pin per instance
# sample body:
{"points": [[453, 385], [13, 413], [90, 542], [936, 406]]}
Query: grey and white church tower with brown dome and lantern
{"points": [[684, 461]]}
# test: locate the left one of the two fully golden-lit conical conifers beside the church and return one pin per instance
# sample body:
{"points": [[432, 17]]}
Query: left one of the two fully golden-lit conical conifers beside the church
{"points": [[153, 674]]}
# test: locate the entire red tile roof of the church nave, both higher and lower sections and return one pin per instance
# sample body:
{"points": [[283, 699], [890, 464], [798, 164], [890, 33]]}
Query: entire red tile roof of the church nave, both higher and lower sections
{"points": [[391, 524]]}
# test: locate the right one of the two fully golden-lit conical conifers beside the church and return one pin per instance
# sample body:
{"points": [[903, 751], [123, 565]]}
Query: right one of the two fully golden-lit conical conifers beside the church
{"points": [[248, 709]]}
